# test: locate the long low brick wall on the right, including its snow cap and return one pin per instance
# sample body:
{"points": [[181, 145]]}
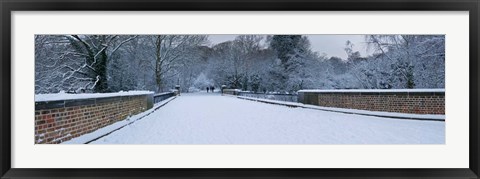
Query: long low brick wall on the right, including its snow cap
{"points": [[413, 101]]}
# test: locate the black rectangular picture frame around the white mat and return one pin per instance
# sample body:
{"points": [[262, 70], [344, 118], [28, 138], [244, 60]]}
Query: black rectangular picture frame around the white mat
{"points": [[7, 6]]}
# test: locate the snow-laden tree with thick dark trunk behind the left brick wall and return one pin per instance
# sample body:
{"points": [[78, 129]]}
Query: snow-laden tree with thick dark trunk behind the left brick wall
{"points": [[78, 62]]}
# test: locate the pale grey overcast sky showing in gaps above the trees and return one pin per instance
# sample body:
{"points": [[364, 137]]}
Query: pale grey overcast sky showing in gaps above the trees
{"points": [[331, 45]]}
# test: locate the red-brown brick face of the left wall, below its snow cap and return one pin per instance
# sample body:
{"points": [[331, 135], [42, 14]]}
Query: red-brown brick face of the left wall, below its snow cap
{"points": [[59, 121]]}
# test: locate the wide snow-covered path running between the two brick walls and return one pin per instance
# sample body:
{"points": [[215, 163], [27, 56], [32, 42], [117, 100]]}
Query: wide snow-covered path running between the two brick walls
{"points": [[203, 118]]}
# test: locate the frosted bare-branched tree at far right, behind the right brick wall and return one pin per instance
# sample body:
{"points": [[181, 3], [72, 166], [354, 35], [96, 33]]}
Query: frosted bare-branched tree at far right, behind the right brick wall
{"points": [[411, 59]]}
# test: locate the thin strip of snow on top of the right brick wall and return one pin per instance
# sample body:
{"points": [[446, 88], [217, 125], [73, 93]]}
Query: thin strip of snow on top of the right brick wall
{"points": [[375, 91]]}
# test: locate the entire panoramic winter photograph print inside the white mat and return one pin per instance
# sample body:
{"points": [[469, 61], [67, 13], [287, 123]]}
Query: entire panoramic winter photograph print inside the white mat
{"points": [[314, 89]]}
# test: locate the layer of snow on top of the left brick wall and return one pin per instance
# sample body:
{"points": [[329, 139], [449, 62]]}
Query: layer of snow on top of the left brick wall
{"points": [[68, 96]]}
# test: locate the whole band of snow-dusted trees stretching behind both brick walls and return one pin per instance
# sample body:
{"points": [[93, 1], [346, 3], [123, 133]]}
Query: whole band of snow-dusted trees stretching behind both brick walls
{"points": [[279, 63]]}
